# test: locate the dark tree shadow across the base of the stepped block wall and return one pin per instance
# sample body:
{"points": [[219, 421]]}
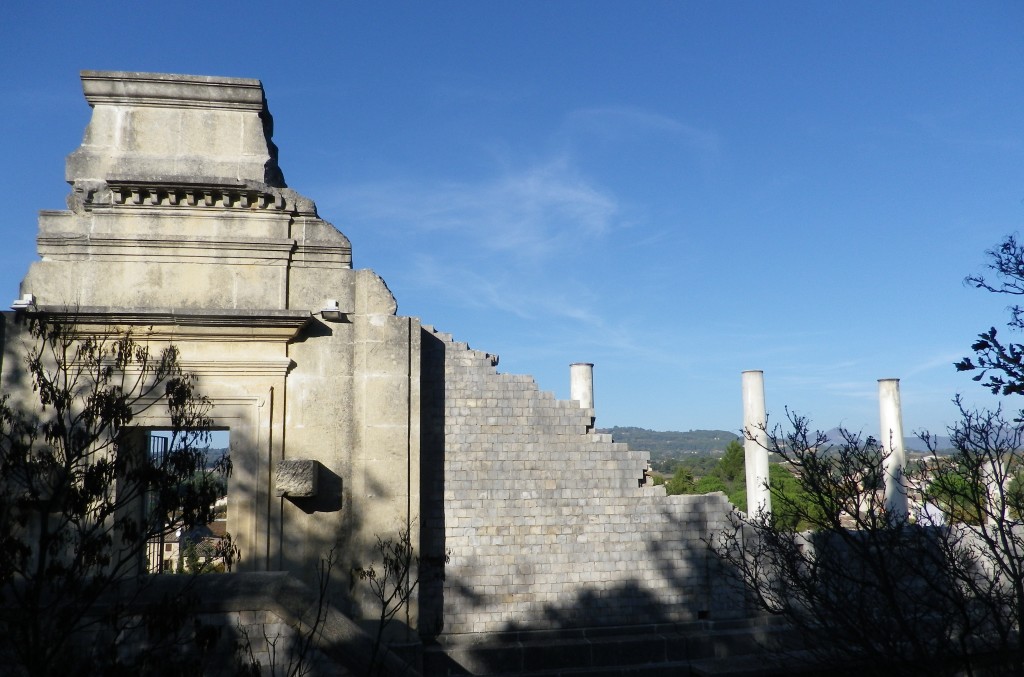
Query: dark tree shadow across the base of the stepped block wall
{"points": [[699, 617]]}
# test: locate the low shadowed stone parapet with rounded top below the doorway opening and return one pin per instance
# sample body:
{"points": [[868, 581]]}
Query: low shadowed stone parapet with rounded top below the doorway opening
{"points": [[218, 624]]}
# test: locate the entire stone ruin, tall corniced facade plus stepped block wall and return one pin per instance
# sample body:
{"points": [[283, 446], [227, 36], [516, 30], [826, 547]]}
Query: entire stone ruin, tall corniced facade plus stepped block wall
{"points": [[349, 421]]}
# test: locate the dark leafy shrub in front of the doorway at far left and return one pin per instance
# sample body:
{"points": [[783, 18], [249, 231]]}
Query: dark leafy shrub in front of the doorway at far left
{"points": [[79, 495]]}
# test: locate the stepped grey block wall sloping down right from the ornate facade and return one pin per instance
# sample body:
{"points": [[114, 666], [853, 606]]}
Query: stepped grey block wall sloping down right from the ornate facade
{"points": [[547, 525]]}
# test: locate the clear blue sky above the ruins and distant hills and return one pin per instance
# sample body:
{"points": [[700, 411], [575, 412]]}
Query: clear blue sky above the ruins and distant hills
{"points": [[674, 191]]}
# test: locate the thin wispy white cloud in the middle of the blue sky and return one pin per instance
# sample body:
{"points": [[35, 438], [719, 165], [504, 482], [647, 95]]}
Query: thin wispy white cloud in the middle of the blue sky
{"points": [[515, 242]]}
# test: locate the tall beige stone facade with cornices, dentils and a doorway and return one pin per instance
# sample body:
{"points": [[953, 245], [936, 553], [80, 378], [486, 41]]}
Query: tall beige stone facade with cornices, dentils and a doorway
{"points": [[181, 229]]}
